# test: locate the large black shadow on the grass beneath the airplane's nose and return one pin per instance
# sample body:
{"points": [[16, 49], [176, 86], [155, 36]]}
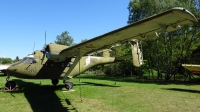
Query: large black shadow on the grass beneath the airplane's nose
{"points": [[42, 98]]}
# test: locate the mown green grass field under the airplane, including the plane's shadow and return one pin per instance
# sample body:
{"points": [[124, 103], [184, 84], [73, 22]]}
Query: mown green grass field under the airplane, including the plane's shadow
{"points": [[101, 94]]}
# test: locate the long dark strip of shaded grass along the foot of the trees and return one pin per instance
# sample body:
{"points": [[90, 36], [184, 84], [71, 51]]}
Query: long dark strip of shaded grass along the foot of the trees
{"points": [[144, 81]]}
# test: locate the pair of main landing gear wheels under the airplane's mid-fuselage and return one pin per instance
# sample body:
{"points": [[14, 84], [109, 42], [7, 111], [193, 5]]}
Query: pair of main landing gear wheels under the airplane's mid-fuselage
{"points": [[68, 85]]}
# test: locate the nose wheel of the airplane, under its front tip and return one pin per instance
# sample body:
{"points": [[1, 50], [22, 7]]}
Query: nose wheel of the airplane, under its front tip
{"points": [[10, 85]]}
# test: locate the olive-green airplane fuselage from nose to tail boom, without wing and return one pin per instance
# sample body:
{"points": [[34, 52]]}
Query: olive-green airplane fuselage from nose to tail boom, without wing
{"points": [[36, 67]]}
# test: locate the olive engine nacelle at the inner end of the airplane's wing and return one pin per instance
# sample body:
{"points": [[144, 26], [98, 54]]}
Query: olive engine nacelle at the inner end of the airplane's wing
{"points": [[52, 51]]}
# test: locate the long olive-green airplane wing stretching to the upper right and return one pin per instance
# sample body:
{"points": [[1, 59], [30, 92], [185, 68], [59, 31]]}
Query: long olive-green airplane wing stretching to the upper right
{"points": [[141, 30]]}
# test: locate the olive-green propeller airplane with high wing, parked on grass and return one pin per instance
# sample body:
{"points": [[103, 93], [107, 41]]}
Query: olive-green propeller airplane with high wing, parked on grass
{"points": [[60, 62]]}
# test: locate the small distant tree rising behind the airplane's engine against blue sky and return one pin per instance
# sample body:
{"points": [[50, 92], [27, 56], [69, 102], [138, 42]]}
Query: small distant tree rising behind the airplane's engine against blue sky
{"points": [[64, 39]]}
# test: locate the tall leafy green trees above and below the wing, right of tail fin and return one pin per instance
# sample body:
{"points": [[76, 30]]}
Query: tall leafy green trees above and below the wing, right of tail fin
{"points": [[170, 49]]}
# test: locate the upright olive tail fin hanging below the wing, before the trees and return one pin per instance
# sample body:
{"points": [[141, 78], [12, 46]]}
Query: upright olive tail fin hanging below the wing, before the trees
{"points": [[136, 53]]}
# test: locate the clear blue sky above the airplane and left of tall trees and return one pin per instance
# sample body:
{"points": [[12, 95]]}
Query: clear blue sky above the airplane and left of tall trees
{"points": [[24, 22]]}
